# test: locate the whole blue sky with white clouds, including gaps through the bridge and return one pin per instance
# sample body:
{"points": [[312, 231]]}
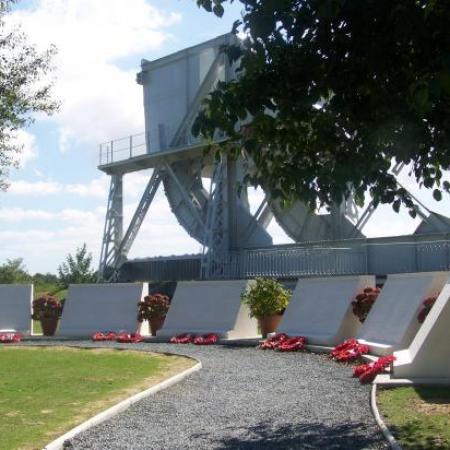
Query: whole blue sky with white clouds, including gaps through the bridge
{"points": [[57, 198]]}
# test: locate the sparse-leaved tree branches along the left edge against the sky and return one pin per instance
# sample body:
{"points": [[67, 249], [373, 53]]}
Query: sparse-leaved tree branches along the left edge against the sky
{"points": [[23, 90]]}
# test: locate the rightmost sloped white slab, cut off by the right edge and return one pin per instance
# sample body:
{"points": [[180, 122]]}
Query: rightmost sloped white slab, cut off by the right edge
{"points": [[428, 356]]}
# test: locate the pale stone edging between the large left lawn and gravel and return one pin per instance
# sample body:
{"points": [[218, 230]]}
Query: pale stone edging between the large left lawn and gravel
{"points": [[58, 444]]}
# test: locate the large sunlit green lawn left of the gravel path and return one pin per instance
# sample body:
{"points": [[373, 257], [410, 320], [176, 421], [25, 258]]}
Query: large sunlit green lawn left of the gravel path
{"points": [[46, 391]]}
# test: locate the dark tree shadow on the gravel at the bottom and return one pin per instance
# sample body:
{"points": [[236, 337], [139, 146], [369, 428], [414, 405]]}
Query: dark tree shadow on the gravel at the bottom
{"points": [[265, 436]]}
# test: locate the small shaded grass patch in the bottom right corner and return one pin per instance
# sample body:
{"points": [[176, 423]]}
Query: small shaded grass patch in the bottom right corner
{"points": [[419, 417]]}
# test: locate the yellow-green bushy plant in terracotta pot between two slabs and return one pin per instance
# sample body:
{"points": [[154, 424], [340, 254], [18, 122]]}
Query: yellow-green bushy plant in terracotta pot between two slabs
{"points": [[267, 299]]}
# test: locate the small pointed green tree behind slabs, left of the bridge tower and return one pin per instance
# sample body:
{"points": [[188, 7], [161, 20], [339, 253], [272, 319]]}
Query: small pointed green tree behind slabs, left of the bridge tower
{"points": [[77, 269]]}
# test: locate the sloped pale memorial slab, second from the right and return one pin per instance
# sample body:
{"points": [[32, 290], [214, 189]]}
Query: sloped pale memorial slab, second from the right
{"points": [[392, 322]]}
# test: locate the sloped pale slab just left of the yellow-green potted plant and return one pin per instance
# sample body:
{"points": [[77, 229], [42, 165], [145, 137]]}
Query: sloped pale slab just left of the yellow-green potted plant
{"points": [[209, 307]]}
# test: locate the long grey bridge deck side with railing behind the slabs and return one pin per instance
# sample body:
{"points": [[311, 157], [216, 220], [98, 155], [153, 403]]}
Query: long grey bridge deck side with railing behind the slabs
{"points": [[375, 257]]}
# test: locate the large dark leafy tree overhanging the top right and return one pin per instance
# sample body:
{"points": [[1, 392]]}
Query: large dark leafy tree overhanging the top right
{"points": [[337, 91]]}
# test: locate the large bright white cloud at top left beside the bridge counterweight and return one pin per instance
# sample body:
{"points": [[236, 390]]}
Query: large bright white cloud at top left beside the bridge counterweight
{"points": [[100, 100]]}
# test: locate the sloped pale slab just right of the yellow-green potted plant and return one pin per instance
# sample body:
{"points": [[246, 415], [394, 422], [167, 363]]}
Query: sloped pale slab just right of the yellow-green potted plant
{"points": [[320, 309]]}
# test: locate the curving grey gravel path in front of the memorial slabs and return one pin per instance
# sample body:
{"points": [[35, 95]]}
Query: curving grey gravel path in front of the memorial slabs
{"points": [[246, 399]]}
